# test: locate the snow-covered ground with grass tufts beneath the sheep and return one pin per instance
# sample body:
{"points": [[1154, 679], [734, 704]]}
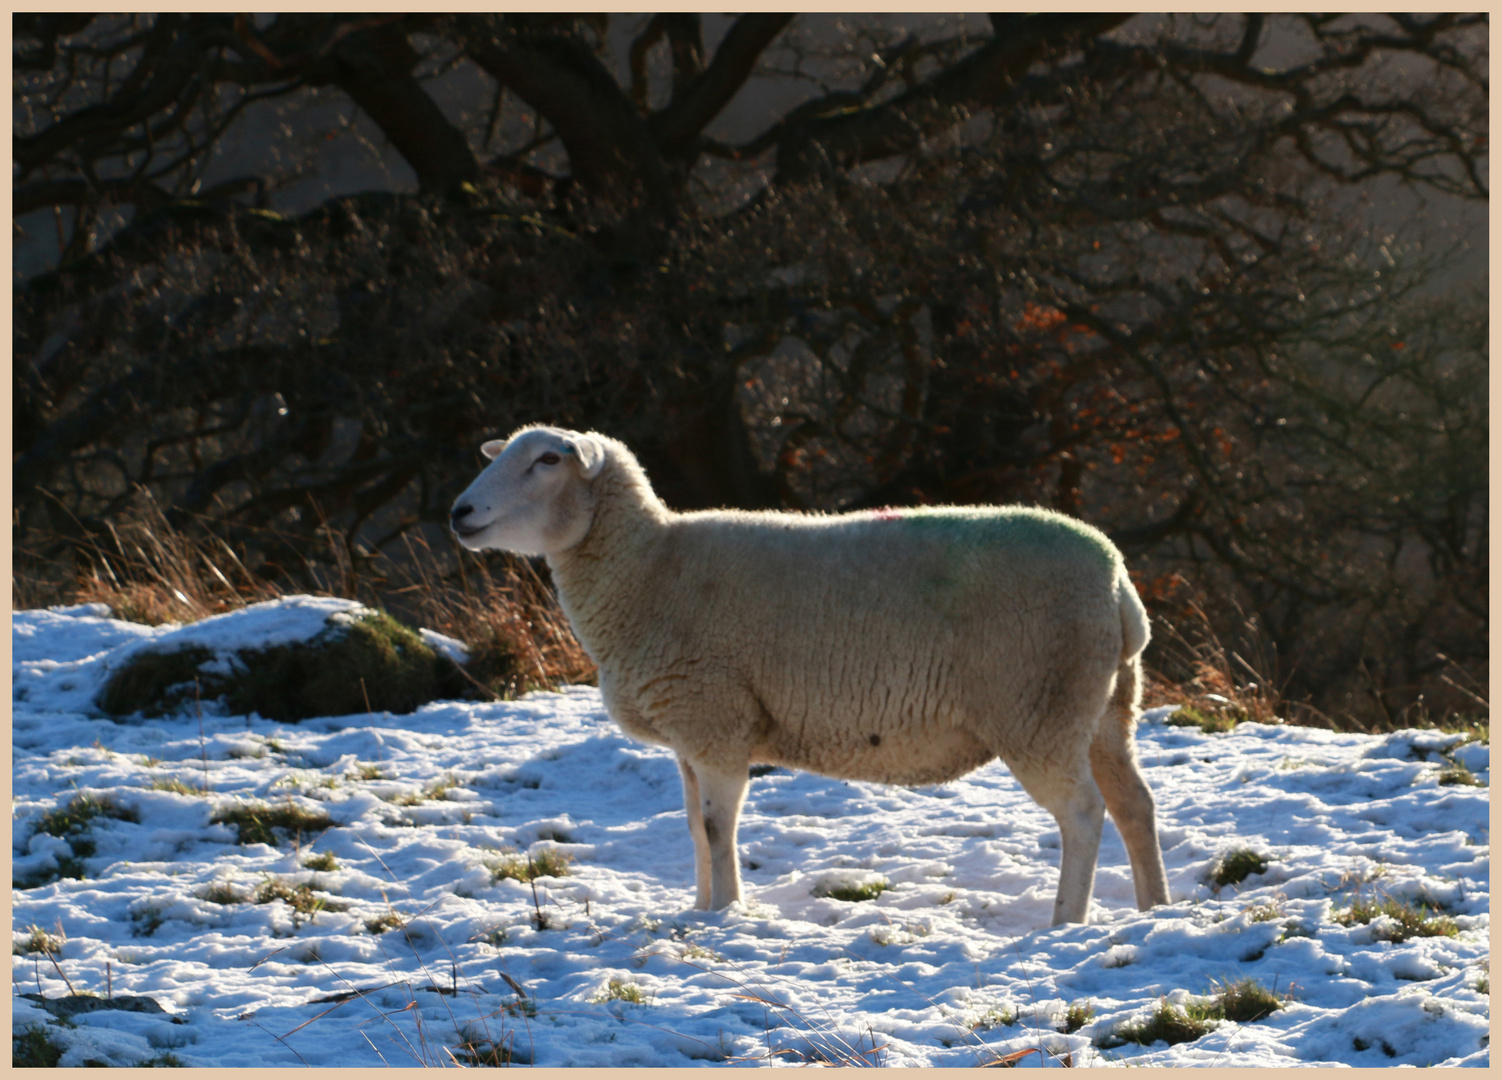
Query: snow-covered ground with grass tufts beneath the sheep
{"points": [[953, 965]]}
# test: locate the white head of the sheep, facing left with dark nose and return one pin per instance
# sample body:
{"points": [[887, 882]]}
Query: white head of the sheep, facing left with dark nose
{"points": [[534, 496]]}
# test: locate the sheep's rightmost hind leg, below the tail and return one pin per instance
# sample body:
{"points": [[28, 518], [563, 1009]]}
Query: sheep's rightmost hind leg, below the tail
{"points": [[1114, 762]]}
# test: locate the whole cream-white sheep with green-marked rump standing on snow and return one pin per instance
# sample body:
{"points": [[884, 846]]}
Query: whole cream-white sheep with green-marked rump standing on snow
{"points": [[899, 647]]}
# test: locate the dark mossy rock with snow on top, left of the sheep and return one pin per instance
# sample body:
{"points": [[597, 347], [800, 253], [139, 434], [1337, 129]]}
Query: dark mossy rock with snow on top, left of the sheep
{"points": [[369, 663]]}
